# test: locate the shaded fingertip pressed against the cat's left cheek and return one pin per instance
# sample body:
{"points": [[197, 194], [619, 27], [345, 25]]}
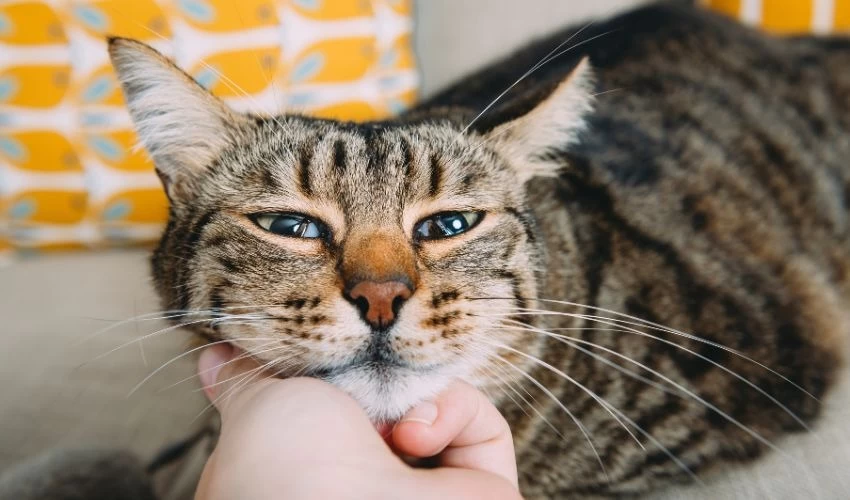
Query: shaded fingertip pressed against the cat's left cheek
{"points": [[225, 370]]}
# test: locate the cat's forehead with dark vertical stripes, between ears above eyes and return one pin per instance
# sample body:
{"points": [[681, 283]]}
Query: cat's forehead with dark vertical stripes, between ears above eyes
{"points": [[372, 172]]}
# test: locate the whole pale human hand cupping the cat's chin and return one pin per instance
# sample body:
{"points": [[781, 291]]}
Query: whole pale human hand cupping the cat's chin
{"points": [[304, 438]]}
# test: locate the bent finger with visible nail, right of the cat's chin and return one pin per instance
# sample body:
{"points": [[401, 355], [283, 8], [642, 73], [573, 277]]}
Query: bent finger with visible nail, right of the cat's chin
{"points": [[464, 428]]}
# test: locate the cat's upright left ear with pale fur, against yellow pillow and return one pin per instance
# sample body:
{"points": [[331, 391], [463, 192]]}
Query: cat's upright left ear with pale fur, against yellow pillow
{"points": [[181, 125]]}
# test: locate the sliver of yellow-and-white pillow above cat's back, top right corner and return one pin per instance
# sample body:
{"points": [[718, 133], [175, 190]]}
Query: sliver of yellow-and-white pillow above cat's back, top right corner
{"points": [[789, 16]]}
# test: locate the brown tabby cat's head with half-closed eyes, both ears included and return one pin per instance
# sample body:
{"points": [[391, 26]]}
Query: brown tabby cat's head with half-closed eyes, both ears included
{"points": [[383, 257]]}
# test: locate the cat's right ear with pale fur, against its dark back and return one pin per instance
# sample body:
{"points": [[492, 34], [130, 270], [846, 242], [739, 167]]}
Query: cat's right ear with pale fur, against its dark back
{"points": [[552, 125]]}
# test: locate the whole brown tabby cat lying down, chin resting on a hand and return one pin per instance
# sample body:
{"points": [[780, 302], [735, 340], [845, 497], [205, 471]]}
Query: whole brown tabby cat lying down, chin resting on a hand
{"points": [[641, 252]]}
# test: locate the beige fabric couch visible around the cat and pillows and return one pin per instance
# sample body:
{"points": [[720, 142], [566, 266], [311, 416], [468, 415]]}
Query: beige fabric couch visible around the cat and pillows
{"points": [[57, 388]]}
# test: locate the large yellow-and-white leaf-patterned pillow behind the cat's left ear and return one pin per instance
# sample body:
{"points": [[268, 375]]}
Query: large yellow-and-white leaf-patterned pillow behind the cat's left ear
{"points": [[69, 174]]}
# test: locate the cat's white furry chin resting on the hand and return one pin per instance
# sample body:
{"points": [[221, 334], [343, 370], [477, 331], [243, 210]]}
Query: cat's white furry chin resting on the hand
{"points": [[387, 393]]}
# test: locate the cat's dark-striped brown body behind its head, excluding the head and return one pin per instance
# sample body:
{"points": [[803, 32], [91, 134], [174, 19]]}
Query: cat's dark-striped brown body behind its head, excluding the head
{"points": [[710, 193]]}
